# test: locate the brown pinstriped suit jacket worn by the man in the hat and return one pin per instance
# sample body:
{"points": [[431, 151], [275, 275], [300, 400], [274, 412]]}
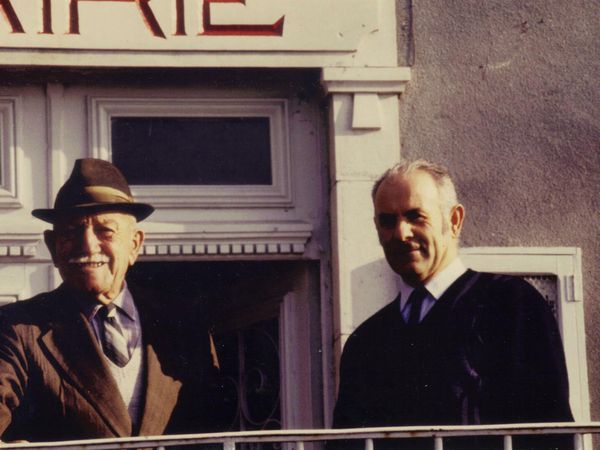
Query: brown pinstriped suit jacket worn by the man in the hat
{"points": [[56, 385]]}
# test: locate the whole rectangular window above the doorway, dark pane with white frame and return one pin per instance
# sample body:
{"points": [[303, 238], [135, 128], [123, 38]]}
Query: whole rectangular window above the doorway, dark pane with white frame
{"points": [[195, 152]]}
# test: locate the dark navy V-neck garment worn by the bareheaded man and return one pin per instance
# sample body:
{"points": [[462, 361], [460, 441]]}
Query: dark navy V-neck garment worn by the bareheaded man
{"points": [[489, 351]]}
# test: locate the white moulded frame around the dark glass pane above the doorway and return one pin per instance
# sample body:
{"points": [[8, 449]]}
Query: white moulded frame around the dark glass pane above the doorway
{"points": [[276, 195]]}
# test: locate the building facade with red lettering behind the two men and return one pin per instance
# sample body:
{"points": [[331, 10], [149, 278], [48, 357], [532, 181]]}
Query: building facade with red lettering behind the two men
{"points": [[257, 128]]}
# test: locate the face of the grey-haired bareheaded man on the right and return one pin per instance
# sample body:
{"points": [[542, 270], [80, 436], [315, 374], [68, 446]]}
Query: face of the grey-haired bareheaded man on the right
{"points": [[418, 239]]}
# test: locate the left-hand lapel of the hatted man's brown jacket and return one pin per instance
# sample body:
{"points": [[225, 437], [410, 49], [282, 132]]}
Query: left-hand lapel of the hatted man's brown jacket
{"points": [[70, 341]]}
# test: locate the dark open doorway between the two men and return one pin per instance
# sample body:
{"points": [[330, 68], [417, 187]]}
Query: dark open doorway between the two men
{"points": [[265, 320]]}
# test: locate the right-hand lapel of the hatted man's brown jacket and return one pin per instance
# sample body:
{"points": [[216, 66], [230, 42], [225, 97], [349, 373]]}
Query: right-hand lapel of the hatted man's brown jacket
{"points": [[162, 390]]}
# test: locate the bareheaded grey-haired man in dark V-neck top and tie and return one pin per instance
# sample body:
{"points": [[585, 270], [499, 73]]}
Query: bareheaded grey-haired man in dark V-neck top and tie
{"points": [[456, 346]]}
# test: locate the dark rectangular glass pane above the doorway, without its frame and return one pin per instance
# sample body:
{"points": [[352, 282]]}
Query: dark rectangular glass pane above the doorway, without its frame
{"points": [[193, 150]]}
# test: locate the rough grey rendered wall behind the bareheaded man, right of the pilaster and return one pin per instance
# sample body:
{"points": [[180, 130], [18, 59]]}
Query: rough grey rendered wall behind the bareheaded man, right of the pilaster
{"points": [[506, 93]]}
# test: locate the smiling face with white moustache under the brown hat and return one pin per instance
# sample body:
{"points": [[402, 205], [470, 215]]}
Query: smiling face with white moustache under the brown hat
{"points": [[93, 252]]}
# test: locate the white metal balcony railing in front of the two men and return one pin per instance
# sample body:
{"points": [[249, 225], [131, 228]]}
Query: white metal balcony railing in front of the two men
{"points": [[298, 438]]}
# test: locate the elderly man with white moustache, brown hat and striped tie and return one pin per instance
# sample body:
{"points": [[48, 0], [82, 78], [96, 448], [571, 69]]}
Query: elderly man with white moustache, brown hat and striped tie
{"points": [[96, 357]]}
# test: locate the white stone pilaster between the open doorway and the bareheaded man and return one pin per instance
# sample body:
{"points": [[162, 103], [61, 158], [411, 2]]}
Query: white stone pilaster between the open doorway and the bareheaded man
{"points": [[364, 141]]}
